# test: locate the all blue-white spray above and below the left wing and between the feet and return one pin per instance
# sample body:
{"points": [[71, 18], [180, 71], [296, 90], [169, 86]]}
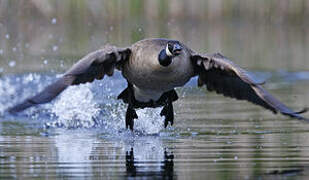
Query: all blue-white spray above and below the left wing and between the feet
{"points": [[92, 105]]}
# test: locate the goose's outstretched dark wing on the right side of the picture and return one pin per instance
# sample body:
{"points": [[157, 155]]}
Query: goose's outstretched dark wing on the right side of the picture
{"points": [[223, 76]]}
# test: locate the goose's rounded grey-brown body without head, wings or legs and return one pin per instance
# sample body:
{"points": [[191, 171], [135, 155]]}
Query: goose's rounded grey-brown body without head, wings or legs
{"points": [[150, 79]]}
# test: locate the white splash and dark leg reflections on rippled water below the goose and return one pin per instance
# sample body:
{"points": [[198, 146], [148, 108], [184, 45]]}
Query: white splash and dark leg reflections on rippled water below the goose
{"points": [[83, 153]]}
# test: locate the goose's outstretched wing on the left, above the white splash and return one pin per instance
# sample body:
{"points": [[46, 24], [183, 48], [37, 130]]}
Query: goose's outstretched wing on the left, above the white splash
{"points": [[93, 66]]}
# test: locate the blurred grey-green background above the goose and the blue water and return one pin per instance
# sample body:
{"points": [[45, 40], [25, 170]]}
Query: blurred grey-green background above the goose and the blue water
{"points": [[51, 35]]}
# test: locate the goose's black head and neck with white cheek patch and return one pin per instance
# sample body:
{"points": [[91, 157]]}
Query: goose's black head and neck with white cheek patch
{"points": [[172, 49]]}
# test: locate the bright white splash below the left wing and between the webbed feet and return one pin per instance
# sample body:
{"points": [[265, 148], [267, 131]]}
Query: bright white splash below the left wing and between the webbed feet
{"points": [[77, 107]]}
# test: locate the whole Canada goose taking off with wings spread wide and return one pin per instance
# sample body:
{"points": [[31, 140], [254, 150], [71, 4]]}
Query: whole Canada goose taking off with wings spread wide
{"points": [[153, 68]]}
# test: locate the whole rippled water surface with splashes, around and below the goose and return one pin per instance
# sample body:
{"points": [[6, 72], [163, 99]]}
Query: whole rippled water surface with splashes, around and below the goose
{"points": [[82, 134]]}
